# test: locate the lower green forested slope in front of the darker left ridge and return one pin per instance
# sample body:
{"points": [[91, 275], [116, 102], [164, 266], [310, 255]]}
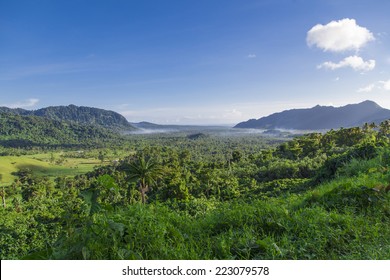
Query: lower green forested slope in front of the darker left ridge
{"points": [[30, 131]]}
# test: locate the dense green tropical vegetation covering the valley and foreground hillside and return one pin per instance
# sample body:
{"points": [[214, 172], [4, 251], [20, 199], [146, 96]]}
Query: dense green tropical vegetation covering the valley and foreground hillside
{"points": [[176, 196]]}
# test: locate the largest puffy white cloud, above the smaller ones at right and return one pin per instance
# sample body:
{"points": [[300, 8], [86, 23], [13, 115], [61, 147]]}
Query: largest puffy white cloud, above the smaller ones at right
{"points": [[339, 36]]}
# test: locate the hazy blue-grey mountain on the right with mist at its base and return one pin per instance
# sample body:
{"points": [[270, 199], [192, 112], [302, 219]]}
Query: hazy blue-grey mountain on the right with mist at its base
{"points": [[321, 117]]}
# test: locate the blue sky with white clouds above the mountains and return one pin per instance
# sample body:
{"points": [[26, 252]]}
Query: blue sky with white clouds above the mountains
{"points": [[203, 62]]}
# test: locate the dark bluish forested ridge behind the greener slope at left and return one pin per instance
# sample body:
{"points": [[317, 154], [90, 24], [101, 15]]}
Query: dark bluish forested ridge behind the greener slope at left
{"points": [[81, 115]]}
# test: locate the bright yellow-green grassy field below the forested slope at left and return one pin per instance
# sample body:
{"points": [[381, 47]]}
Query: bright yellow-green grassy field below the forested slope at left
{"points": [[47, 164]]}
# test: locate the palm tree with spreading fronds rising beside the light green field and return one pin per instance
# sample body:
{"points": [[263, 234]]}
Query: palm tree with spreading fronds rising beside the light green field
{"points": [[146, 171]]}
